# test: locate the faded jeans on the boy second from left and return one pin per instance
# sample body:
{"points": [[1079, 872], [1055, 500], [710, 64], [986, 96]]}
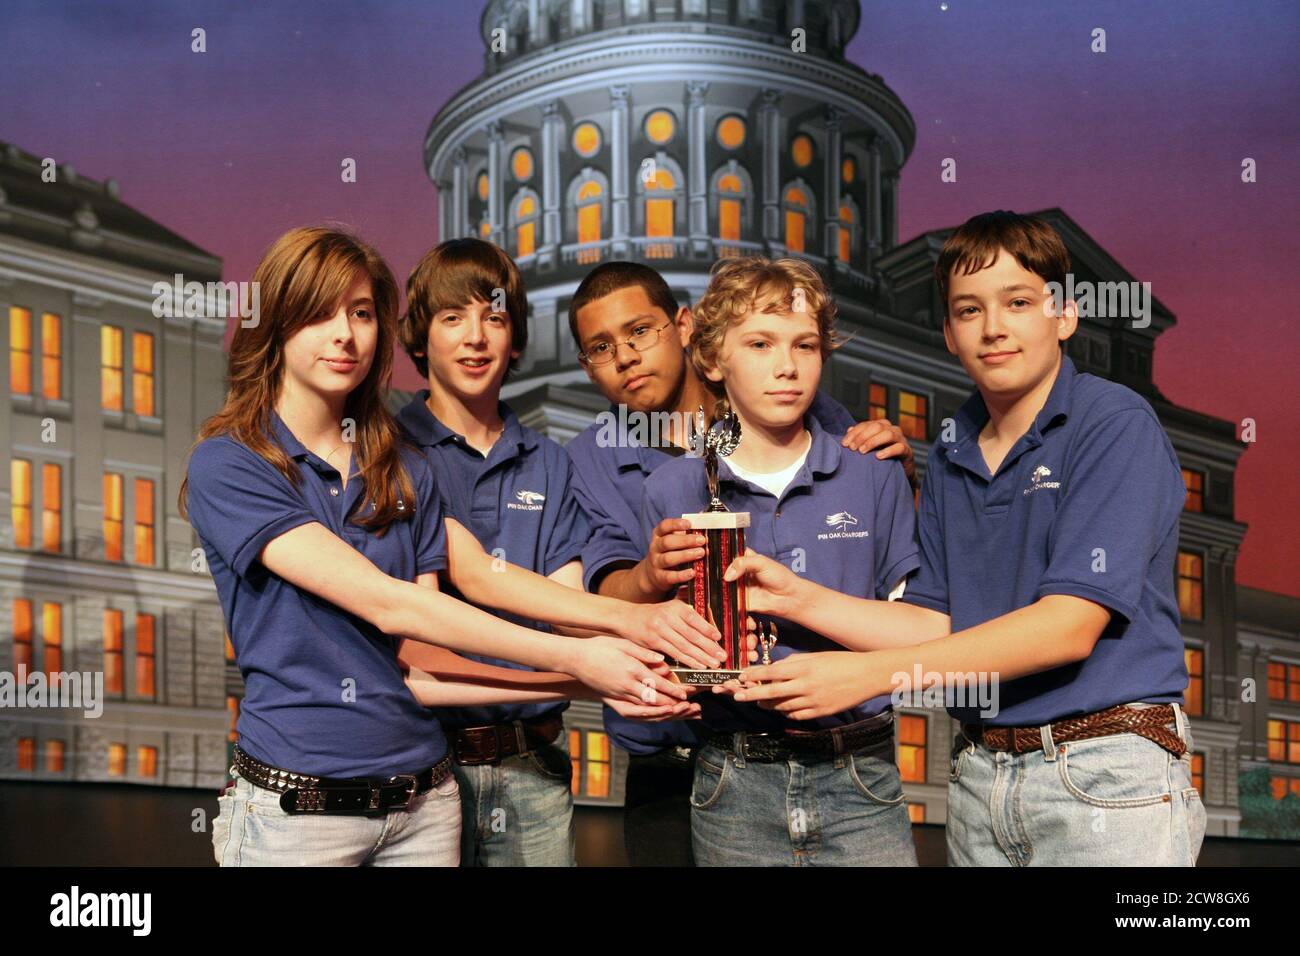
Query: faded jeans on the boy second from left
{"points": [[519, 812]]}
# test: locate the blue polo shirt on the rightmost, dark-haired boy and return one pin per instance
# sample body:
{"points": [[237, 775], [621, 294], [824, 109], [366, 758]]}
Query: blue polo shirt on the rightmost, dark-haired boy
{"points": [[1087, 504]]}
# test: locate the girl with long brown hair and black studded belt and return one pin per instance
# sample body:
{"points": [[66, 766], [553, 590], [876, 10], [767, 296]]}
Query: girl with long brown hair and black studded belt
{"points": [[324, 538]]}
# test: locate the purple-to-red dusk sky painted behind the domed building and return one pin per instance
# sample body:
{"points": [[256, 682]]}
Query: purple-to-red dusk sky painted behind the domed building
{"points": [[1142, 145]]}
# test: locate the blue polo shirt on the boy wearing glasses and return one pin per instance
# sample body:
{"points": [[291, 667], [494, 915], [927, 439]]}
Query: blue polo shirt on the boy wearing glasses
{"points": [[609, 483]]}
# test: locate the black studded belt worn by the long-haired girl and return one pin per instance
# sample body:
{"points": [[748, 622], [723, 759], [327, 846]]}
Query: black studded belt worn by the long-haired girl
{"points": [[369, 797]]}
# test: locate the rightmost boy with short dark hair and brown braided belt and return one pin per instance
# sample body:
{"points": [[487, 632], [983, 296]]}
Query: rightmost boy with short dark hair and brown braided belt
{"points": [[1048, 531]]}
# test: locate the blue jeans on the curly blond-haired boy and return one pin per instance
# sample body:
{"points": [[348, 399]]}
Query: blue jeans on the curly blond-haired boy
{"points": [[843, 812]]}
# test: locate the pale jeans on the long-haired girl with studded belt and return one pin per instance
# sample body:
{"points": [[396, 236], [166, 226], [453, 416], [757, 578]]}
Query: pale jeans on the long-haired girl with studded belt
{"points": [[253, 830]]}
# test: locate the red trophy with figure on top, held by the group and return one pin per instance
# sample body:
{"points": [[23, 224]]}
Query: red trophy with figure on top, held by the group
{"points": [[718, 602]]}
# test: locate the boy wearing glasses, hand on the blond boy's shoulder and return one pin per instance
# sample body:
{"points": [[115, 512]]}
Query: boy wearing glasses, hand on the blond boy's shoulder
{"points": [[632, 339]]}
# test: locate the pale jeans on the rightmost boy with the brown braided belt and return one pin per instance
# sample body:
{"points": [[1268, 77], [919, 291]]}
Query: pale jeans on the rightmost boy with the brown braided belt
{"points": [[1120, 801]]}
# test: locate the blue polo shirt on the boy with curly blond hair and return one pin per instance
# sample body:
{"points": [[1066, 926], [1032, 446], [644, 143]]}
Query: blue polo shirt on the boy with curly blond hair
{"points": [[847, 522]]}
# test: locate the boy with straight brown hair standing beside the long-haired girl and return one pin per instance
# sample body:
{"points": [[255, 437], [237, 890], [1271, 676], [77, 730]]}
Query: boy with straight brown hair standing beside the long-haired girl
{"points": [[512, 488]]}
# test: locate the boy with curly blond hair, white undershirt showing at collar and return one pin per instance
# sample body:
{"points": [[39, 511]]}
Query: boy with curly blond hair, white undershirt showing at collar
{"points": [[770, 790]]}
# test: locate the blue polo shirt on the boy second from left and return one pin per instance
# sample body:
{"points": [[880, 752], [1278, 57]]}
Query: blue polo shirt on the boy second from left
{"points": [[518, 501]]}
